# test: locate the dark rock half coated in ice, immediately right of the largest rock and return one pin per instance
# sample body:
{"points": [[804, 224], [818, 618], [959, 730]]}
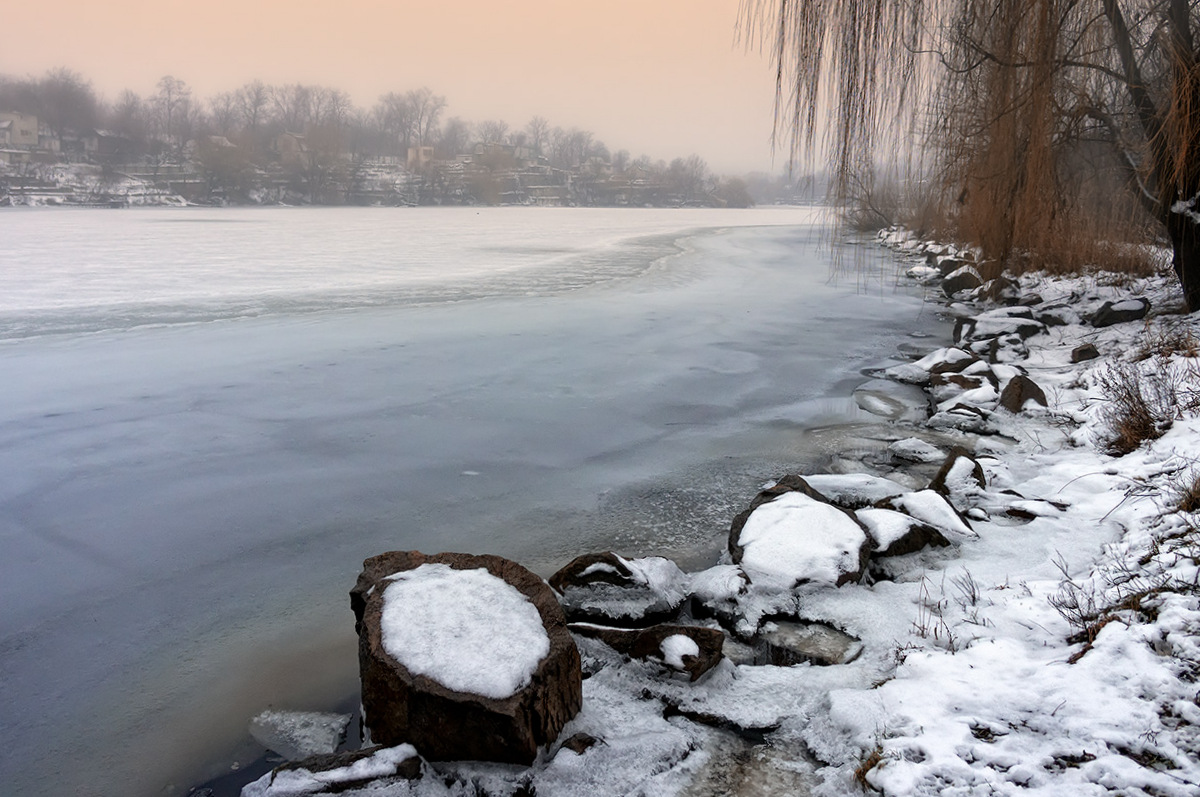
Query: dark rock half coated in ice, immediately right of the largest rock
{"points": [[610, 590]]}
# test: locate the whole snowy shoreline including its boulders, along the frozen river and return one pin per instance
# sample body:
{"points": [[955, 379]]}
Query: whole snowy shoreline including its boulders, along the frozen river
{"points": [[877, 628]]}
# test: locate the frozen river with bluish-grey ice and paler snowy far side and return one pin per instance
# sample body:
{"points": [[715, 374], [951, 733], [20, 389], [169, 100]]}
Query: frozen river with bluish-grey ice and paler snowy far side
{"points": [[209, 418]]}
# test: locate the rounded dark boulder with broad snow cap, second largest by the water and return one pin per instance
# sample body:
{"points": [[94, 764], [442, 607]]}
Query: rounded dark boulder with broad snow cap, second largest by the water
{"points": [[793, 536]]}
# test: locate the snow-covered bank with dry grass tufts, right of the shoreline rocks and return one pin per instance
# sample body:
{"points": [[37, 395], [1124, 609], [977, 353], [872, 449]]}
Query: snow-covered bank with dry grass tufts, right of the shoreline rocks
{"points": [[1054, 650]]}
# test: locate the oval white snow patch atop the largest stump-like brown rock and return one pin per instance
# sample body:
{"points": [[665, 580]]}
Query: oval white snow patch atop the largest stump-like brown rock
{"points": [[466, 630]]}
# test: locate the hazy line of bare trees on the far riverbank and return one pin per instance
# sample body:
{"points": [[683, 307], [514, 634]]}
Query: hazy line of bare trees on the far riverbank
{"points": [[311, 143]]}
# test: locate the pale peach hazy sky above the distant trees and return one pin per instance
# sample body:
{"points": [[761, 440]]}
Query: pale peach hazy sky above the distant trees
{"points": [[656, 77]]}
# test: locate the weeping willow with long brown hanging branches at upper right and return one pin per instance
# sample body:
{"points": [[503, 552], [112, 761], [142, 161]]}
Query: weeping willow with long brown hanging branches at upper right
{"points": [[1049, 134]]}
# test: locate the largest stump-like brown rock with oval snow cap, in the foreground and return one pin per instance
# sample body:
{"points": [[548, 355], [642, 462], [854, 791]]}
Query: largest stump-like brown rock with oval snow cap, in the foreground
{"points": [[464, 657]]}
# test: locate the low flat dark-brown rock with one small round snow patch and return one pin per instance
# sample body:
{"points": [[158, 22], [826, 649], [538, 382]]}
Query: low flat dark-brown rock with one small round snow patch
{"points": [[688, 650]]}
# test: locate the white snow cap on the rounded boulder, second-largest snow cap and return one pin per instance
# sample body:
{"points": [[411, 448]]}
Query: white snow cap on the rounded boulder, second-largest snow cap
{"points": [[795, 538]]}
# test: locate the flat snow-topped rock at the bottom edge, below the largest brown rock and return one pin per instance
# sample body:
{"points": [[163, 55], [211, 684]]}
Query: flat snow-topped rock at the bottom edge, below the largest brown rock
{"points": [[339, 772]]}
